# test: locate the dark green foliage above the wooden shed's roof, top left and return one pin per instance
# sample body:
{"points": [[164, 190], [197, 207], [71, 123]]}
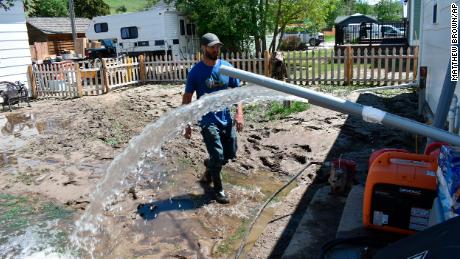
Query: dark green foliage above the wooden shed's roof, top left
{"points": [[48, 8]]}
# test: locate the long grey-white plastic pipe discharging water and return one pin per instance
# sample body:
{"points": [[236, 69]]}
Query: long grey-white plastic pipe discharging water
{"points": [[368, 113]]}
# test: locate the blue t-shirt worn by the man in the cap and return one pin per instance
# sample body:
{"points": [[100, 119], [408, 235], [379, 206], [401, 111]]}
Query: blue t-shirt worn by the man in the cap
{"points": [[206, 79]]}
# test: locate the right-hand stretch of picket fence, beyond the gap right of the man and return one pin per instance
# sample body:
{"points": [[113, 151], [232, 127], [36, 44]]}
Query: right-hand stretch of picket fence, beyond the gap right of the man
{"points": [[352, 66]]}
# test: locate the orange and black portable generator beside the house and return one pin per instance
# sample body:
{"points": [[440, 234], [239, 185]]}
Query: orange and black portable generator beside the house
{"points": [[399, 193]]}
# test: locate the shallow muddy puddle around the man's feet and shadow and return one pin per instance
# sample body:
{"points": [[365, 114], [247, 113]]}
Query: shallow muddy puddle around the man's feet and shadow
{"points": [[177, 218]]}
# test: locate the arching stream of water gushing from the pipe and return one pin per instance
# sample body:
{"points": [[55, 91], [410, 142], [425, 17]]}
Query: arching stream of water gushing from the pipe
{"points": [[95, 227]]}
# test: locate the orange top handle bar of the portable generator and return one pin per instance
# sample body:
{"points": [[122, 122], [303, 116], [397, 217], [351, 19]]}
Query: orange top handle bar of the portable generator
{"points": [[386, 159]]}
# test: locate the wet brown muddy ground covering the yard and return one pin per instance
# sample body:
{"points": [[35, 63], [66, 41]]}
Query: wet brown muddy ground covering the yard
{"points": [[58, 150]]}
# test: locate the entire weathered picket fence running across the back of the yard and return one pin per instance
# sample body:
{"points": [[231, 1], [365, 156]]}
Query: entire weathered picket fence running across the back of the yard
{"points": [[332, 67]]}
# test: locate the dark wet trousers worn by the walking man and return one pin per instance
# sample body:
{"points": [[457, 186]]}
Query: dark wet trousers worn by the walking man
{"points": [[221, 145]]}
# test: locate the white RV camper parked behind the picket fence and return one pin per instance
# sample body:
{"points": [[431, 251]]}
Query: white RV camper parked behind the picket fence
{"points": [[159, 30]]}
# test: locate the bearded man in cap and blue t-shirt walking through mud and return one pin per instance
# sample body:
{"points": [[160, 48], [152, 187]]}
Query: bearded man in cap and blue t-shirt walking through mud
{"points": [[216, 127]]}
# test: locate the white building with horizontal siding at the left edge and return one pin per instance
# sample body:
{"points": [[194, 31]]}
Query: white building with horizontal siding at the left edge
{"points": [[14, 44]]}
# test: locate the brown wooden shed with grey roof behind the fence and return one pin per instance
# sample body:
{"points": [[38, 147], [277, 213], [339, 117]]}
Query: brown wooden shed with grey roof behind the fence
{"points": [[56, 32]]}
